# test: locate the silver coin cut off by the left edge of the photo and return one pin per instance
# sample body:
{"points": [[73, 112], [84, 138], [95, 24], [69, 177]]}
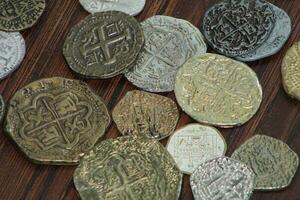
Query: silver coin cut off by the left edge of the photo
{"points": [[12, 52]]}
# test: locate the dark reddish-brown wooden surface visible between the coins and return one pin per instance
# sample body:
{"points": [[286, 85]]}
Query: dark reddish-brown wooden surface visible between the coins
{"points": [[279, 116]]}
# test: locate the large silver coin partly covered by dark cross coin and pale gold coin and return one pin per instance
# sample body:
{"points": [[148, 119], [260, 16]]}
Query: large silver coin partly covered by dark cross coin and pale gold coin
{"points": [[169, 42]]}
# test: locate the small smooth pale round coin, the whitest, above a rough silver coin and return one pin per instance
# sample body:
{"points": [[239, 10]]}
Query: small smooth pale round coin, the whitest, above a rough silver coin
{"points": [[194, 144]]}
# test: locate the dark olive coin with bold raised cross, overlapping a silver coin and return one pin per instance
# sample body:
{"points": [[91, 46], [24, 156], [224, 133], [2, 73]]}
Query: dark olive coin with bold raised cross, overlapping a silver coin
{"points": [[103, 45]]}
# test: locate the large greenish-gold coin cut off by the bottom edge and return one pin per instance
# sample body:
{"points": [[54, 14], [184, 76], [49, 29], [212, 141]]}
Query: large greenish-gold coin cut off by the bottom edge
{"points": [[128, 168]]}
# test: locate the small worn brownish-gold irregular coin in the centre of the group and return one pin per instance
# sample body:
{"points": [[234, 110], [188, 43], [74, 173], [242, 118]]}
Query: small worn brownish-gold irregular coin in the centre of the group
{"points": [[148, 114]]}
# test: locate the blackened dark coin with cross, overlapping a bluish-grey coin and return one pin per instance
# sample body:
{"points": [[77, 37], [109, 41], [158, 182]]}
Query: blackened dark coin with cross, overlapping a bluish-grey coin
{"points": [[234, 27]]}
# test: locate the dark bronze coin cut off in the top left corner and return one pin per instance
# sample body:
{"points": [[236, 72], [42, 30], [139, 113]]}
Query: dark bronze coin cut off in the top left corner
{"points": [[18, 15]]}
